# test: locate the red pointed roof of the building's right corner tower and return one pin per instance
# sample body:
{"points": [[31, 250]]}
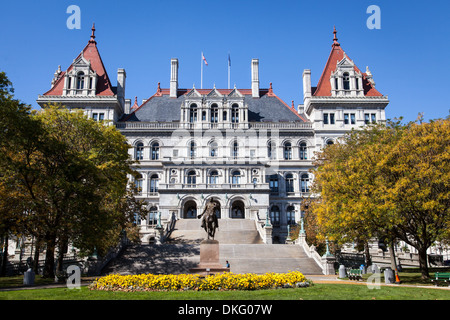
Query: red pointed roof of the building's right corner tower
{"points": [[323, 88]]}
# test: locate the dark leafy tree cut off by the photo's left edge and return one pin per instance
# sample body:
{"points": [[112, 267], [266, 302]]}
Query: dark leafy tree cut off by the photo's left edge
{"points": [[18, 132]]}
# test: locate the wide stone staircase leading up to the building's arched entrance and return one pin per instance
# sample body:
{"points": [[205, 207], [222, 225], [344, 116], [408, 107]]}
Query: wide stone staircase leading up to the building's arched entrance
{"points": [[240, 244]]}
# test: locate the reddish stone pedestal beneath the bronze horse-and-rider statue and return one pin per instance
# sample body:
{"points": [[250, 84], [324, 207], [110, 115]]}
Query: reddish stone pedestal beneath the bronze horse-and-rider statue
{"points": [[209, 259]]}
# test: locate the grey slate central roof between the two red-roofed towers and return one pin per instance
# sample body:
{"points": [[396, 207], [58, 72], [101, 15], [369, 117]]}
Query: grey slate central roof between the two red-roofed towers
{"points": [[162, 108]]}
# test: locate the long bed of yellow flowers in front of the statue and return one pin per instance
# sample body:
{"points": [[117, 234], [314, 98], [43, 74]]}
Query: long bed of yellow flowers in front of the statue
{"points": [[221, 281]]}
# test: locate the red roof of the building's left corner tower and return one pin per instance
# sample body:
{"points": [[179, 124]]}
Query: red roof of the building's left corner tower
{"points": [[90, 53]]}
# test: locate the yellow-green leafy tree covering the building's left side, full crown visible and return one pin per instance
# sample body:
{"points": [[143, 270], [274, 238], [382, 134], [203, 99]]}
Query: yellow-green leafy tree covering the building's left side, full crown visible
{"points": [[79, 179]]}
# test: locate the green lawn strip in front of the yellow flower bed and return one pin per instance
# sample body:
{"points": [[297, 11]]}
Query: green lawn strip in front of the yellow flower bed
{"points": [[316, 292]]}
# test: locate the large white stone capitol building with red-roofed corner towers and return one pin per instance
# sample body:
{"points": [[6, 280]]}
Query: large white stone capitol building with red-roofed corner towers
{"points": [[244, 148]]}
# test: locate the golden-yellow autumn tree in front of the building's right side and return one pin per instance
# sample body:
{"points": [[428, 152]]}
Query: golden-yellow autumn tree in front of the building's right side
{"points": [[389, 182]]}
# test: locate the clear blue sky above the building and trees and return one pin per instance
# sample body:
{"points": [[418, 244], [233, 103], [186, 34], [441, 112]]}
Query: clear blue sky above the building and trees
{"points": [[408, 57]]}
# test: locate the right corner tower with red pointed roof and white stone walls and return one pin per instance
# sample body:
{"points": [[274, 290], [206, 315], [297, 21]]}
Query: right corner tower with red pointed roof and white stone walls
{"points": [[344, 98]]}
